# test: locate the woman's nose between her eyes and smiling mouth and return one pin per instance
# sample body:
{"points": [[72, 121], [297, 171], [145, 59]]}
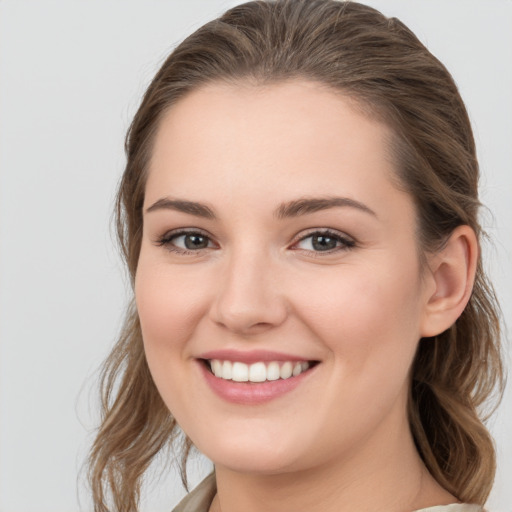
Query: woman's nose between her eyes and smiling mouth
{"points": [[249, 298]]}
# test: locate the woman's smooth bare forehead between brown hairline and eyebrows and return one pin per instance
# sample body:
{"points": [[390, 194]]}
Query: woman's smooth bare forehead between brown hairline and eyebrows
{"points": [[286, 139]]}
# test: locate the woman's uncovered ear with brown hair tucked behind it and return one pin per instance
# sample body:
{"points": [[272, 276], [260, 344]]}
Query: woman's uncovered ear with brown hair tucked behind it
{"points": [[452, 274]]}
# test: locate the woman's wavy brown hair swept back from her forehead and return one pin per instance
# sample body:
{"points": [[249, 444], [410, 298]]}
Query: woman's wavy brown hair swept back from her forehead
{"points": [[380, 63]]}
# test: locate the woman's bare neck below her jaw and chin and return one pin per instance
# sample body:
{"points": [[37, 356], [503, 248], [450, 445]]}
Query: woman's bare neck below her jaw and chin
{"points": [[386, 474]]}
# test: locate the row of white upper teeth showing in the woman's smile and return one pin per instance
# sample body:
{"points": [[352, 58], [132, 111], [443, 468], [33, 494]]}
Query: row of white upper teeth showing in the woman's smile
{"points": [[257, 372]]}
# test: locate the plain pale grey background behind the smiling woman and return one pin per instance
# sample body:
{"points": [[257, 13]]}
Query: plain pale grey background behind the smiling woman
{"points": [[71, 75]]}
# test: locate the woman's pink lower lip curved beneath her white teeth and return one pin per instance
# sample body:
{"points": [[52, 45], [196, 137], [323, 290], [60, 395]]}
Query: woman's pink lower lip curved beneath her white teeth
{"points": [[252, 393]]}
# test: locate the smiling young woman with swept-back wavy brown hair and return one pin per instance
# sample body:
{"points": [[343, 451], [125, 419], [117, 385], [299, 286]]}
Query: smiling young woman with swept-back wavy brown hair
{"points": [[299, 217]]}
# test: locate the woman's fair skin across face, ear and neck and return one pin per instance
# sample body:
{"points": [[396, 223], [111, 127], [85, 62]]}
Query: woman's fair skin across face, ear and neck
{"points": [[339, 286]]}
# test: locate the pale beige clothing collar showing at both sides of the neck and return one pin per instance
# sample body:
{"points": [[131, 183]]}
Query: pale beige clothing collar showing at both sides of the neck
{"points": [[200, 499]]}
